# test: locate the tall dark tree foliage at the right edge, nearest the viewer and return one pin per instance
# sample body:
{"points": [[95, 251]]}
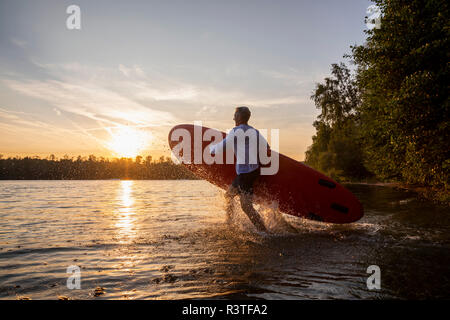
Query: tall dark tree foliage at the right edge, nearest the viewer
{"points": [[403, 78]]}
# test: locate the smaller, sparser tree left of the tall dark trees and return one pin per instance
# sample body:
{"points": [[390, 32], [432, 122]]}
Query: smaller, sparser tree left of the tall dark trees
{"points": [[336, 148]]}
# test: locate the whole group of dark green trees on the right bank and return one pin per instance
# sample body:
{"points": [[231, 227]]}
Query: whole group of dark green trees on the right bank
{"points": [[387, 118]]}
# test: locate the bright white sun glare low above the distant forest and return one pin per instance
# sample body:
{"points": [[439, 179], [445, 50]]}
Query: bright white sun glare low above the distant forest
{"points": [[128, 142]]}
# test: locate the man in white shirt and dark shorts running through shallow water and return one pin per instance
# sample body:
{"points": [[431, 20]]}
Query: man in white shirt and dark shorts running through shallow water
{"points": [[246, 141]]}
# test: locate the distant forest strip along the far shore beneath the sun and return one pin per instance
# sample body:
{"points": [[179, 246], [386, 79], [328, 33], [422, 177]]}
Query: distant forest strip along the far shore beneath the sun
{"points": [[91, 168]]}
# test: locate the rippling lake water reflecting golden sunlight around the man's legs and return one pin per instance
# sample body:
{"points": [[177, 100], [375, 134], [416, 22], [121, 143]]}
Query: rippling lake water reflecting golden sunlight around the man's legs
{"points": [[169, 240]]}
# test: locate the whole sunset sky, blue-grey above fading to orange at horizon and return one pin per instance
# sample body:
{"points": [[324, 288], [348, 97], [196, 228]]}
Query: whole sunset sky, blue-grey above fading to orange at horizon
{"points": [[135, 69]]}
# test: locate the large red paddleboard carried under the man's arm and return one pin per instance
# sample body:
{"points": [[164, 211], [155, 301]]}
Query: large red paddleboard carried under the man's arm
{"points": [[298, 189]]}
